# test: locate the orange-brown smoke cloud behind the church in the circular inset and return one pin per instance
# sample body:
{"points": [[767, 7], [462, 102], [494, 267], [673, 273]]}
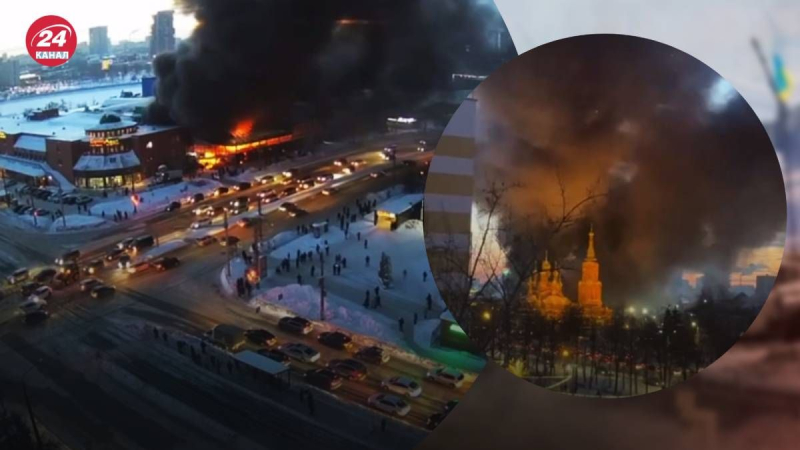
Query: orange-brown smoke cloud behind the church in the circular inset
{"points": [[691, 175]]}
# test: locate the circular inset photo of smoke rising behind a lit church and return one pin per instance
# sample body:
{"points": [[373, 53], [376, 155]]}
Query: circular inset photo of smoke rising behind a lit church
{"points": [[605, 216]]}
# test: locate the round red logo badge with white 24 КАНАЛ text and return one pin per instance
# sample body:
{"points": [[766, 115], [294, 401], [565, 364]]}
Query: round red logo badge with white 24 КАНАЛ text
{"points": [[51, 41]]}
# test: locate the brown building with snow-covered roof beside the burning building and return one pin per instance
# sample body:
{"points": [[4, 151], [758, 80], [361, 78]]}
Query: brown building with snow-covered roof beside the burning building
{"points": [[78, 150]]}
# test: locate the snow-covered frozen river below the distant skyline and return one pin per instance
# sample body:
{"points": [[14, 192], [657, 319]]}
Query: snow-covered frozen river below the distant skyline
{"points": [[90, 96]]}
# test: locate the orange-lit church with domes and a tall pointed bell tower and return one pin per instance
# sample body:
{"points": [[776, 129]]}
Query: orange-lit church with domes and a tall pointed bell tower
{"points": [[545, 289]]}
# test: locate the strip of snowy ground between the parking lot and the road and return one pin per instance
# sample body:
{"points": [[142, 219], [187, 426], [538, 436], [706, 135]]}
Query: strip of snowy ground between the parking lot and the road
{"points": [[156, 199]]}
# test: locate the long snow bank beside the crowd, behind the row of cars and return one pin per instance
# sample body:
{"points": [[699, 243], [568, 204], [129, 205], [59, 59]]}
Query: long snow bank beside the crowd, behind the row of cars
{"points": [[305, 301]]}
